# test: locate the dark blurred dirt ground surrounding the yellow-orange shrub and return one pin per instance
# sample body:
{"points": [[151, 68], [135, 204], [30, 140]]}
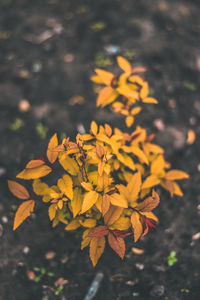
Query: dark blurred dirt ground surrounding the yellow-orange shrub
{"points": [[48, 51]]}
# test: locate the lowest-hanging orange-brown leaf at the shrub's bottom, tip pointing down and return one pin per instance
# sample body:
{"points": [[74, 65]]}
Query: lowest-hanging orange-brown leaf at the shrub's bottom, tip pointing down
{"points": [[97, 245]]}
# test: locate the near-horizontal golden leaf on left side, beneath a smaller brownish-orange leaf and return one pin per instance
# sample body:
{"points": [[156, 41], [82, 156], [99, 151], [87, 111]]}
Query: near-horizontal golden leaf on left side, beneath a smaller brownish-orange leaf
{"points": [[34, 173]]}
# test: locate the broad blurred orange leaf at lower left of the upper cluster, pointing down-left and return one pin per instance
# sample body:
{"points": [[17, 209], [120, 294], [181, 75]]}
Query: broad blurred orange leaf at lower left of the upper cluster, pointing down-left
{"points": [[106, 96]]}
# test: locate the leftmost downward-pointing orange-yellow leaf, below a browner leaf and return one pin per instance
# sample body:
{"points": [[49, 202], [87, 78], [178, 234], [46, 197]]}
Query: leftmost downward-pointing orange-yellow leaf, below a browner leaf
{"points": [[23, 212]]}
